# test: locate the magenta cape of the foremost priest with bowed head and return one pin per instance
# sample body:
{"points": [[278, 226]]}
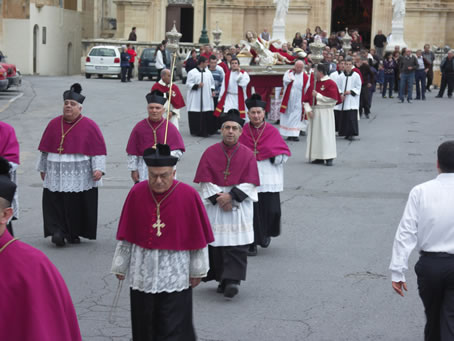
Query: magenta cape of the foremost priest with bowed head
{"points": [[187, 226]]}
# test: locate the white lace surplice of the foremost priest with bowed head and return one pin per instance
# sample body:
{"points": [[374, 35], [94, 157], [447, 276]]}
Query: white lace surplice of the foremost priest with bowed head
{"points": [[155, 271]]}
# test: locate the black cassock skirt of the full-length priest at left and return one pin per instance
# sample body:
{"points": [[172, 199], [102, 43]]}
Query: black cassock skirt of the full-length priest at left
{"points": [[73, 213]]}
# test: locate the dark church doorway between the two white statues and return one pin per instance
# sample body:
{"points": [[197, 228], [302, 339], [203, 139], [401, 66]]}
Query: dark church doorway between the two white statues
{"points": [[354, 14]]}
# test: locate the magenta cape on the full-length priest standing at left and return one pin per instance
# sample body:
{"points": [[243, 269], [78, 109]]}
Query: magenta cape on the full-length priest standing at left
{"points": [[85, 138]]}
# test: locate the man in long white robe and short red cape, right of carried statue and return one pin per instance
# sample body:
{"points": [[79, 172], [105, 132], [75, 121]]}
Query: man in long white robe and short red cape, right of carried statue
{"points": [[321, 137]]}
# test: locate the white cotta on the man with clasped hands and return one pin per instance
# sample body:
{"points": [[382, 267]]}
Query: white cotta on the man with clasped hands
{"points": [[234, 227]]}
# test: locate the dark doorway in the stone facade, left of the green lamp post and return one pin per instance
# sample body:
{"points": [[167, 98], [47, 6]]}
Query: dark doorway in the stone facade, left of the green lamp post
{"points": [[183, 15]]}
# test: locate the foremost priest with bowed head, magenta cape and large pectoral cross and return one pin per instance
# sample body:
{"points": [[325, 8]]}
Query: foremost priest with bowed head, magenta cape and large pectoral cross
{"points": [[162, 236]]}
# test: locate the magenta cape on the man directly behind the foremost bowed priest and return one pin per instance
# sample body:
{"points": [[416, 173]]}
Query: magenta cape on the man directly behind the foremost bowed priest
{"points": [[142, 137]]}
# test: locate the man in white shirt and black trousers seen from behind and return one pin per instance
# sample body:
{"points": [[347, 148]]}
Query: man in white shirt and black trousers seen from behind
{"points": [[428, 222]]}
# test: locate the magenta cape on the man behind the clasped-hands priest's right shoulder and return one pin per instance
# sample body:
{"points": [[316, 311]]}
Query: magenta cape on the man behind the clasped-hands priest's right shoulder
{"points": [[270, 143]]}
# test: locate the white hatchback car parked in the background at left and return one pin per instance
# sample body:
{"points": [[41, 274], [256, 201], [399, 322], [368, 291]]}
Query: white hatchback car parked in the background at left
{"points": [[103, 60]]}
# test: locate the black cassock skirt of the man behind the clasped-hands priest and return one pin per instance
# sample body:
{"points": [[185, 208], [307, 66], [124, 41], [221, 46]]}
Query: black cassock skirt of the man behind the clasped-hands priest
{"points": [[267, 217]]}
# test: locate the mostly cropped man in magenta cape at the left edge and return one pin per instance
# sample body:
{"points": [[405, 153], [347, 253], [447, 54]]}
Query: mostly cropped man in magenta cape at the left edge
{"points": [[9, 149]]}
